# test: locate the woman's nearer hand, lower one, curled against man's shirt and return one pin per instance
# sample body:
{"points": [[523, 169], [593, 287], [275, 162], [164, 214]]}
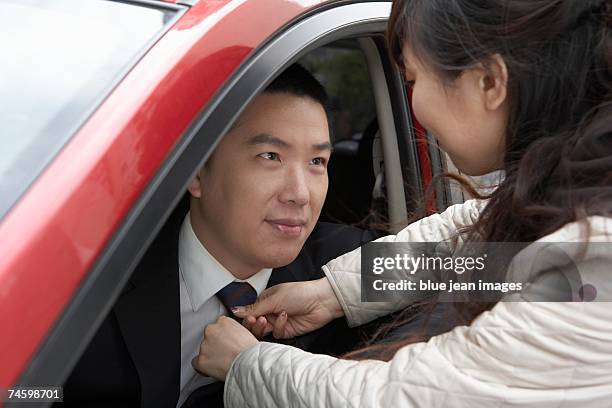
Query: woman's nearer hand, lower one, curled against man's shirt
{"points": [[223, 341]]}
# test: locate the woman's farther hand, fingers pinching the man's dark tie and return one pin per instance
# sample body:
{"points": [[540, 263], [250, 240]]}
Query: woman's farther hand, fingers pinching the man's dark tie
{"points": [[291, 309]]}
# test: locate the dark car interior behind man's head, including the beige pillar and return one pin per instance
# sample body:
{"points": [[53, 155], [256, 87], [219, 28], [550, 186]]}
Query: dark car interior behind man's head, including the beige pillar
{"points": [[366, 187]]}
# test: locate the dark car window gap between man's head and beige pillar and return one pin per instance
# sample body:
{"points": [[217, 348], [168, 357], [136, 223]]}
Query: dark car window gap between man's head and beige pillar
{"points": [[342, 69]]}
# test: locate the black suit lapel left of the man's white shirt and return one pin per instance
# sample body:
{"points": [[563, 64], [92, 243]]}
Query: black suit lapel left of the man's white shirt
{"points": [[149, 318]]}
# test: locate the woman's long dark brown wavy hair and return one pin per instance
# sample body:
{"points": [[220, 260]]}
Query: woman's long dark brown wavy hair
{"points": [[558, 156]]}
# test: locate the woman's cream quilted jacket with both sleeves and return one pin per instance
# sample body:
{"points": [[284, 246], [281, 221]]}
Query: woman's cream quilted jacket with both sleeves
{"points": [[518, 354]]}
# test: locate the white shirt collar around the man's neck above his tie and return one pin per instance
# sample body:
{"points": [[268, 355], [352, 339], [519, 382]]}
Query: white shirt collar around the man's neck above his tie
{"points": [[203, 275]]}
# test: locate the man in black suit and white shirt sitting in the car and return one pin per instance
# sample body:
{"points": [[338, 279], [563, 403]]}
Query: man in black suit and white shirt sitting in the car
{"points": [[252, 207]]}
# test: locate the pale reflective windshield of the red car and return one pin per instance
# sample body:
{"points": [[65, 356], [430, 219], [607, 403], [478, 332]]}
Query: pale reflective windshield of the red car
{"points": [[59, 58]]}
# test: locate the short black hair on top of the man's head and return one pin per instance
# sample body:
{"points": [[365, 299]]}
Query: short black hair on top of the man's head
{"points": [[297, 80]]}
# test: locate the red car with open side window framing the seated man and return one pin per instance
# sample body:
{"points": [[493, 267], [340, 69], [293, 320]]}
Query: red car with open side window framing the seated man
{"points": [[109, 107]]}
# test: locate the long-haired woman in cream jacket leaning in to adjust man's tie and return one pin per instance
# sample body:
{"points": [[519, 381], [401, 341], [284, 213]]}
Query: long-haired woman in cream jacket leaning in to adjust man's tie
{"points": [[518, 85]]}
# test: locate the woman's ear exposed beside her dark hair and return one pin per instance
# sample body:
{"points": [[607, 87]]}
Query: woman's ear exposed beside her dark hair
{"points": [[493, 82]]}
